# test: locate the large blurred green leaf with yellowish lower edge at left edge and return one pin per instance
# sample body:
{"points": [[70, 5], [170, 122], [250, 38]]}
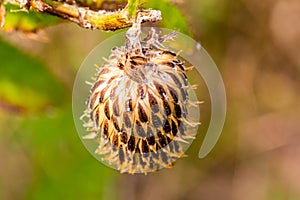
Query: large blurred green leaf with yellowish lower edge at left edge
{"points": [[26, 83]]}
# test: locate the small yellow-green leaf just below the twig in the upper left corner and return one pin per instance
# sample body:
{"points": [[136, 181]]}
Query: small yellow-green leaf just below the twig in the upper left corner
{"points": [[26, 21]]}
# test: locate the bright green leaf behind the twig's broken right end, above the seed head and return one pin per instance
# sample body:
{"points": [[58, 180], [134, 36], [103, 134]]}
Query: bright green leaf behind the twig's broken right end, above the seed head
{"points": [[172, 17]]}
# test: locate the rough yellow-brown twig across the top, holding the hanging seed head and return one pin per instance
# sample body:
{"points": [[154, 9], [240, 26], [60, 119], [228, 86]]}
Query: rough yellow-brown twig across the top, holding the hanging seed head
{"points": [[90, 19]]}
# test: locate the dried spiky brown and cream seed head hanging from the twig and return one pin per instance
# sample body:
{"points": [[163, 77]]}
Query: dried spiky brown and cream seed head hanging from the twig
{"points": [[138, 106]]}
